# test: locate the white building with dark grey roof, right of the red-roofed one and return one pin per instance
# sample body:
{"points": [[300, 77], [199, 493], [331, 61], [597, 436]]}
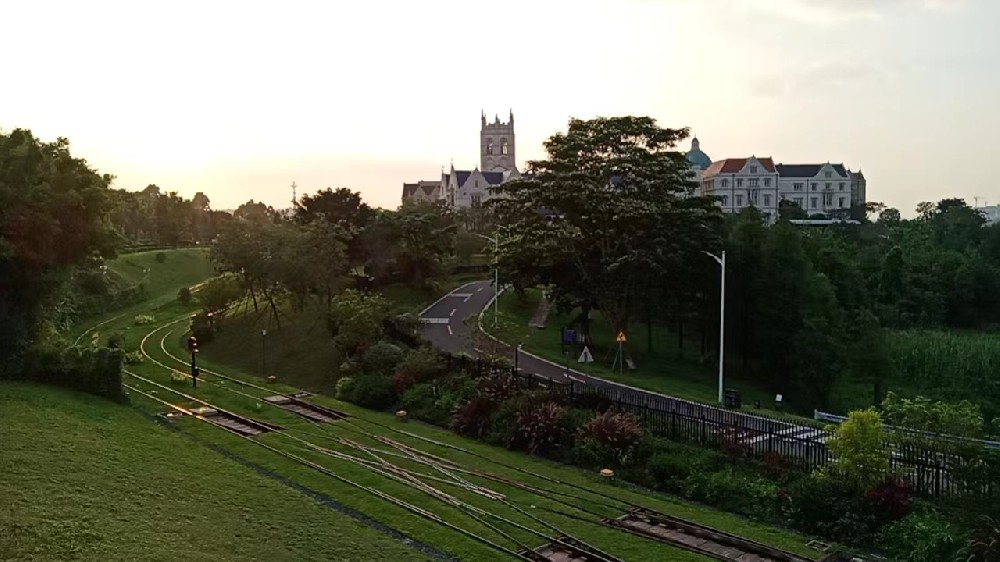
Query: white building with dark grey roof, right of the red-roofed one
{"points": [[816, 188]]}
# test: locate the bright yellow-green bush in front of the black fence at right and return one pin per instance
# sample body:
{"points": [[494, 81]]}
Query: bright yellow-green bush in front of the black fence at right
{"points": [[858, 446]]}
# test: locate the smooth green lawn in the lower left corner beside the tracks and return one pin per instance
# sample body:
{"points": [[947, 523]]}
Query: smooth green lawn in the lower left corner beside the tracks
{"points": [[86, 479]]}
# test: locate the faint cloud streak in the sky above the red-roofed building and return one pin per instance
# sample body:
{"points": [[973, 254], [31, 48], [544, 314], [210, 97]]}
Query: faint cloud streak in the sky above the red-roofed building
{"points": [[827, 78]]}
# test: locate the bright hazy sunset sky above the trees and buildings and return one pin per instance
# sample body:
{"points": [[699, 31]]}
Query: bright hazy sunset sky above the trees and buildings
{"points": [[238, 99]]}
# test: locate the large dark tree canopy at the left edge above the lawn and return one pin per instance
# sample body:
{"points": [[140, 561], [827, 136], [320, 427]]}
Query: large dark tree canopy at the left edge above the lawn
{"points": [[52, 215]]}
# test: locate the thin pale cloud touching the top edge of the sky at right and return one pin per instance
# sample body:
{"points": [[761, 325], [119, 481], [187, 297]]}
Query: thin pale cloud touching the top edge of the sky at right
{"points": [[840, 11]]}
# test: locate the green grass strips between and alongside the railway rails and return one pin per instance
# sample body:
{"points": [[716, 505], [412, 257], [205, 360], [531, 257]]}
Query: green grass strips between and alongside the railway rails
{"points": [[624, 545]]}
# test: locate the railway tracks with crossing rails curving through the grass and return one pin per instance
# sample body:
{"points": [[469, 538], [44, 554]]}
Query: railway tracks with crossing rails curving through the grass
{"points": [[388, 457]]}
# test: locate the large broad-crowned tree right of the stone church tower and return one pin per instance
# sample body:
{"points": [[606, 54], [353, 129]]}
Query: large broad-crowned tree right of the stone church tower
{"points": [[612, 205]]}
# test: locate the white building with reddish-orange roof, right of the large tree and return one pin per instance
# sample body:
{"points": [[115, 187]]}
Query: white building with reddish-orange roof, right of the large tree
{"points": [[742, 182]]}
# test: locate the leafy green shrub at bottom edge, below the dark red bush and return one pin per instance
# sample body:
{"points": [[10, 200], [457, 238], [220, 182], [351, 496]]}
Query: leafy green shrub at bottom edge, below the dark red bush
{"points": [[923, 537]]}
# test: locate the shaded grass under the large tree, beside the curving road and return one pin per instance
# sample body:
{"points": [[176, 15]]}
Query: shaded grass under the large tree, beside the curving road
{"points": [[667, 369]]}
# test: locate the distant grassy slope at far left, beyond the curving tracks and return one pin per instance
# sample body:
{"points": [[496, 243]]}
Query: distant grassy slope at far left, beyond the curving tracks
{"points": [[182, 268]]}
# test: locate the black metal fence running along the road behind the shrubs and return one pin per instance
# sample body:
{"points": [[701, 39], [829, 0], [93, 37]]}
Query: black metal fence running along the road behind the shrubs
{"points": [[929, 470]]}
